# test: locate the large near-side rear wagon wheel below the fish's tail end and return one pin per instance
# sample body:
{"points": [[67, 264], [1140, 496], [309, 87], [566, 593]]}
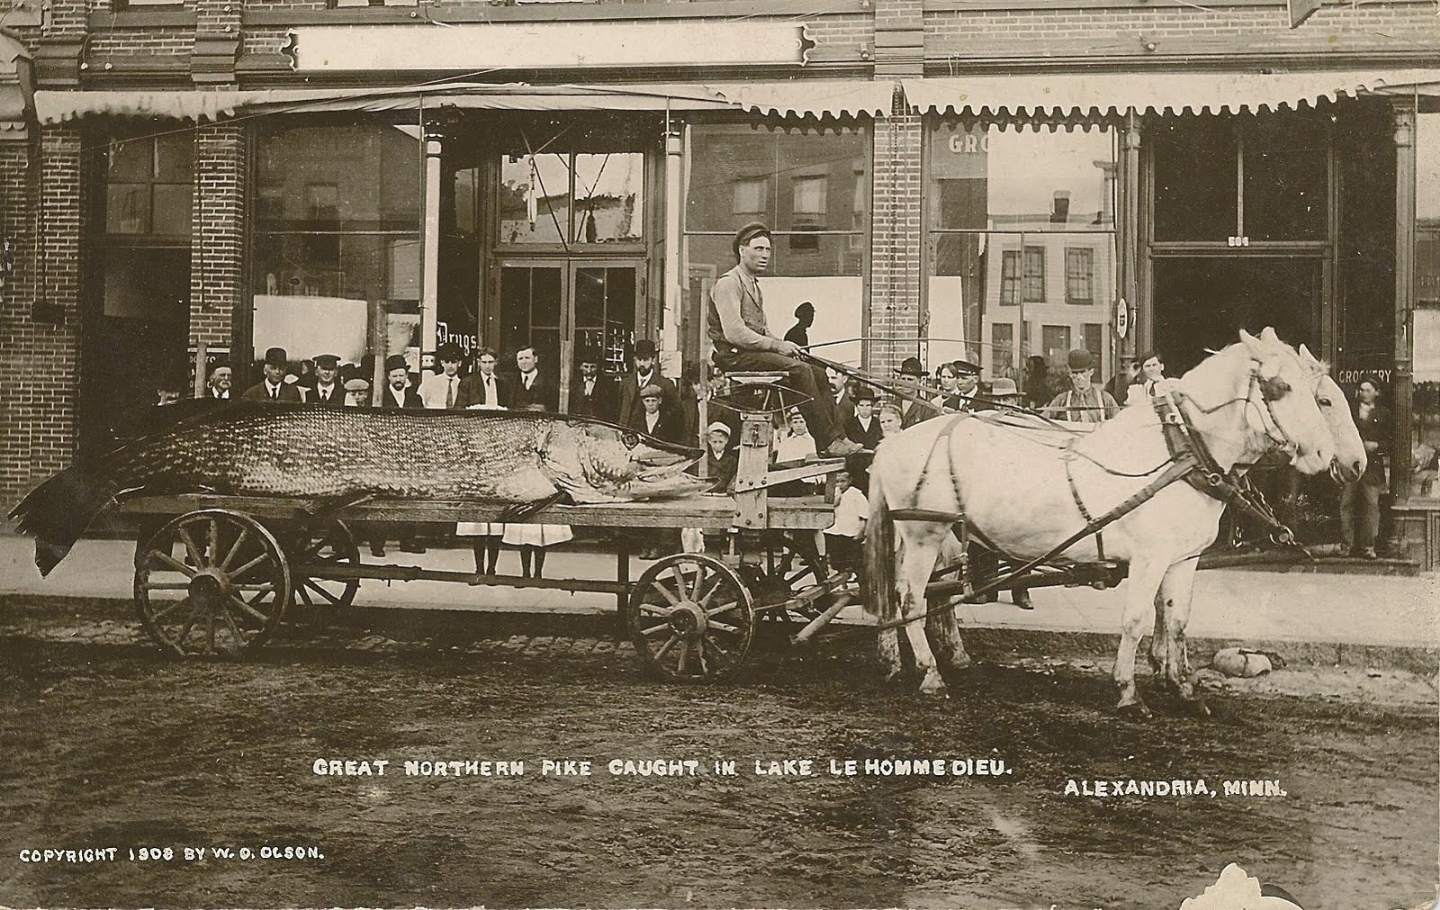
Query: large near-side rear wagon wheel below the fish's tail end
{"points": [[233, 575]]}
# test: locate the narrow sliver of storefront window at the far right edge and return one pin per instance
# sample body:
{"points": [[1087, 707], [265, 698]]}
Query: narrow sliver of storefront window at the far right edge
{"points": [[1426, 345]]}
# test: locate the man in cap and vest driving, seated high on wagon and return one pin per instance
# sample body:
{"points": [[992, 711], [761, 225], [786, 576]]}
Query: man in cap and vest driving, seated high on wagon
{"points": [[744, 342]]}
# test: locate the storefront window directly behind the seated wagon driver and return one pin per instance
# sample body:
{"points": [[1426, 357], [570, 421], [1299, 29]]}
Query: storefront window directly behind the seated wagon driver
{"points": [[811, 188]]}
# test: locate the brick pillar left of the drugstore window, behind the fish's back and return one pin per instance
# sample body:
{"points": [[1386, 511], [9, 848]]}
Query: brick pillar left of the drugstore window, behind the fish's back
{"points": [[218, 240]]}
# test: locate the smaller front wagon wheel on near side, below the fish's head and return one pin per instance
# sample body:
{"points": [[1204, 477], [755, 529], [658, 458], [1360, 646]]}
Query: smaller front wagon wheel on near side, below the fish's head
{"points": [[692, 618]]}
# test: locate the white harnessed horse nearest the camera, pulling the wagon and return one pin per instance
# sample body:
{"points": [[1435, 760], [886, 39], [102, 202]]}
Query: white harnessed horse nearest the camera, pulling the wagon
{"points": [[1027, 496]]}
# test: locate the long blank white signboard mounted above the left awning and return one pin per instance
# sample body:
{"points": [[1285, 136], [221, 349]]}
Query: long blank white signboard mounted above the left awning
{"points": [[554, 45]]}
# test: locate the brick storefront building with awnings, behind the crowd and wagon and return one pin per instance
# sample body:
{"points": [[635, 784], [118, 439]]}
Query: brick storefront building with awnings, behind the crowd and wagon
{"points": [[993, 179]]}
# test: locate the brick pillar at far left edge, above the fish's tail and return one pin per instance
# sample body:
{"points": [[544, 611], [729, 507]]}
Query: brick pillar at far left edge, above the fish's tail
{"points": [[40, 315]]}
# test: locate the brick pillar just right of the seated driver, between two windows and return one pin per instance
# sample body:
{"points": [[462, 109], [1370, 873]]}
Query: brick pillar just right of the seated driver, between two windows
{"points": [[895, 250]]}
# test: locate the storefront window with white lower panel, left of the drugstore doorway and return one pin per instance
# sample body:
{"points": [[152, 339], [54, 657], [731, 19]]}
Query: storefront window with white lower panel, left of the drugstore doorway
{"points": [[338, 240]]}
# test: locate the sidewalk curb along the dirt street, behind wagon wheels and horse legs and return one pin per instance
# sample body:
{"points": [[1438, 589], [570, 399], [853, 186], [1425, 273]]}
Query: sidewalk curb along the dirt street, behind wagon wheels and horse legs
{"points": [[983, 641]]}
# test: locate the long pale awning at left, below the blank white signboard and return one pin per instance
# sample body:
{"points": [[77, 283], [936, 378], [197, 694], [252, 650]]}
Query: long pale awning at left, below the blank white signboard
{"points": [[800, 99]]}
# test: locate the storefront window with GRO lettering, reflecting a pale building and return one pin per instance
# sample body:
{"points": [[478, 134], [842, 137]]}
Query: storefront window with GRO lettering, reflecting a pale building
{"points": [[1020, 247]]}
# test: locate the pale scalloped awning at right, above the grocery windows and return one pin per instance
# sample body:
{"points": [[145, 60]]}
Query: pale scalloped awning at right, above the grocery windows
{"points": [[1158, 93]]}
